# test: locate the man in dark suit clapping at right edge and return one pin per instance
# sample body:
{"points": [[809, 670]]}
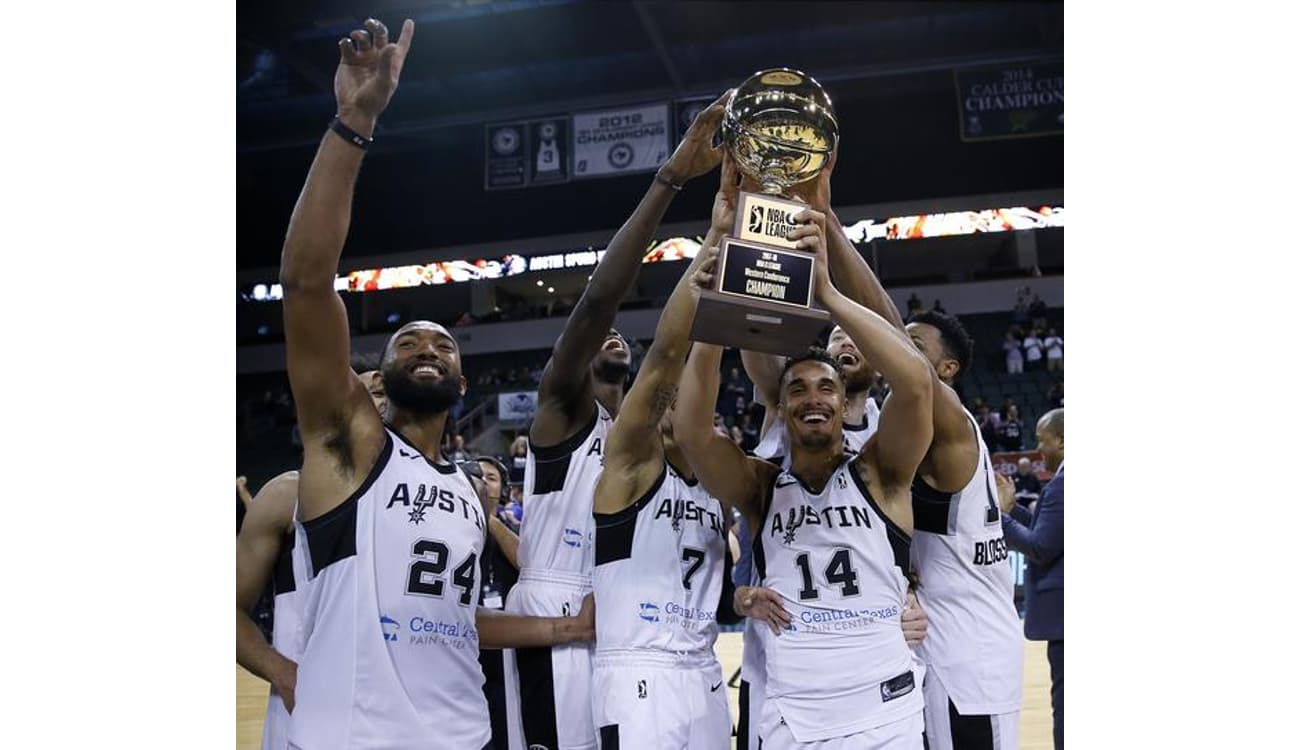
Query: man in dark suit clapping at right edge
{"points": [[1041, 536]]}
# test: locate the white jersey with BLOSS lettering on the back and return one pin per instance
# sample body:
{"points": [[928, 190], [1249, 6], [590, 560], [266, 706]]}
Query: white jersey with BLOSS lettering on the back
{"points": [[974, 641]]}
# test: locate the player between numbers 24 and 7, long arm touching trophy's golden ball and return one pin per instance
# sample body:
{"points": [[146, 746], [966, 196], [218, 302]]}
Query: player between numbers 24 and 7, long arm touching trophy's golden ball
{"points": [[579, 397]]}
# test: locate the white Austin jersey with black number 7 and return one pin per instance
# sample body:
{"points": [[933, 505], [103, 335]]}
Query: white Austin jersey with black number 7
{"points": [[660, 570]]}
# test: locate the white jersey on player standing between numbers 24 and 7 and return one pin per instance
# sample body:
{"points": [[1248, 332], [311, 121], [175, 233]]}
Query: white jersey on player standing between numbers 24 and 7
{"points": [[558, 534]]}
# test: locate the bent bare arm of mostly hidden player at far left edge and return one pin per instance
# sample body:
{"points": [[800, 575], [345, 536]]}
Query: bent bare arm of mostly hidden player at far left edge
{"points": [[271, 517]]}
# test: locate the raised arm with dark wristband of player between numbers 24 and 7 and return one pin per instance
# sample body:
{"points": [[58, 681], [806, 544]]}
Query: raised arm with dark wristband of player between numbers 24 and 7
{"points": [[566, 396]]}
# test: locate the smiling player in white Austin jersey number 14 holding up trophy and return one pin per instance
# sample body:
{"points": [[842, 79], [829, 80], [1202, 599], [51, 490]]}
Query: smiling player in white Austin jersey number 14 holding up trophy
{"points": [[831, 531]]}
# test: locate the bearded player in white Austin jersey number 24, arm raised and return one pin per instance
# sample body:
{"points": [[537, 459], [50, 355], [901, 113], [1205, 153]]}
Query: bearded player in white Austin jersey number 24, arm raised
{"points": [[393, 531]]}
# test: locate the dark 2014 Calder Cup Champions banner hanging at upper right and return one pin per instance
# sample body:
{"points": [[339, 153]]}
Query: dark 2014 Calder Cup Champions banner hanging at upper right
{"points": [[1012, 101]]}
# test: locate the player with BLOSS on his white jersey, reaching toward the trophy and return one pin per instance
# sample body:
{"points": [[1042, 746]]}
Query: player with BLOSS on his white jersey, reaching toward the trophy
{"points": [[974, 649]]}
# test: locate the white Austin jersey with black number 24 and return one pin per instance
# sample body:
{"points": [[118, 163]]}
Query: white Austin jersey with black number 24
{"points": [[392, 656]]}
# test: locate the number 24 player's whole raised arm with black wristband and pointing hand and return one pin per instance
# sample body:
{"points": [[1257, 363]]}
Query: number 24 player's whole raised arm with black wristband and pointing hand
{"points": [[333, 405]]}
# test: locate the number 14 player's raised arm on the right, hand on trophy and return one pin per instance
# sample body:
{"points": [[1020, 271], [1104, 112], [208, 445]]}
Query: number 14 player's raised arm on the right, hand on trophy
{"points": [[907, 422]]}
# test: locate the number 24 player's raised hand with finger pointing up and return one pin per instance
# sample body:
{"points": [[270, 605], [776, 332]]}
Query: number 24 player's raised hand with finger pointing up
{"points": [[369, 72]]}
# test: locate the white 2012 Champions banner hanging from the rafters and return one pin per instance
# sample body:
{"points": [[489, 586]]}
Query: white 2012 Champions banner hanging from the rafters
{"points": [[621, 141]]}
